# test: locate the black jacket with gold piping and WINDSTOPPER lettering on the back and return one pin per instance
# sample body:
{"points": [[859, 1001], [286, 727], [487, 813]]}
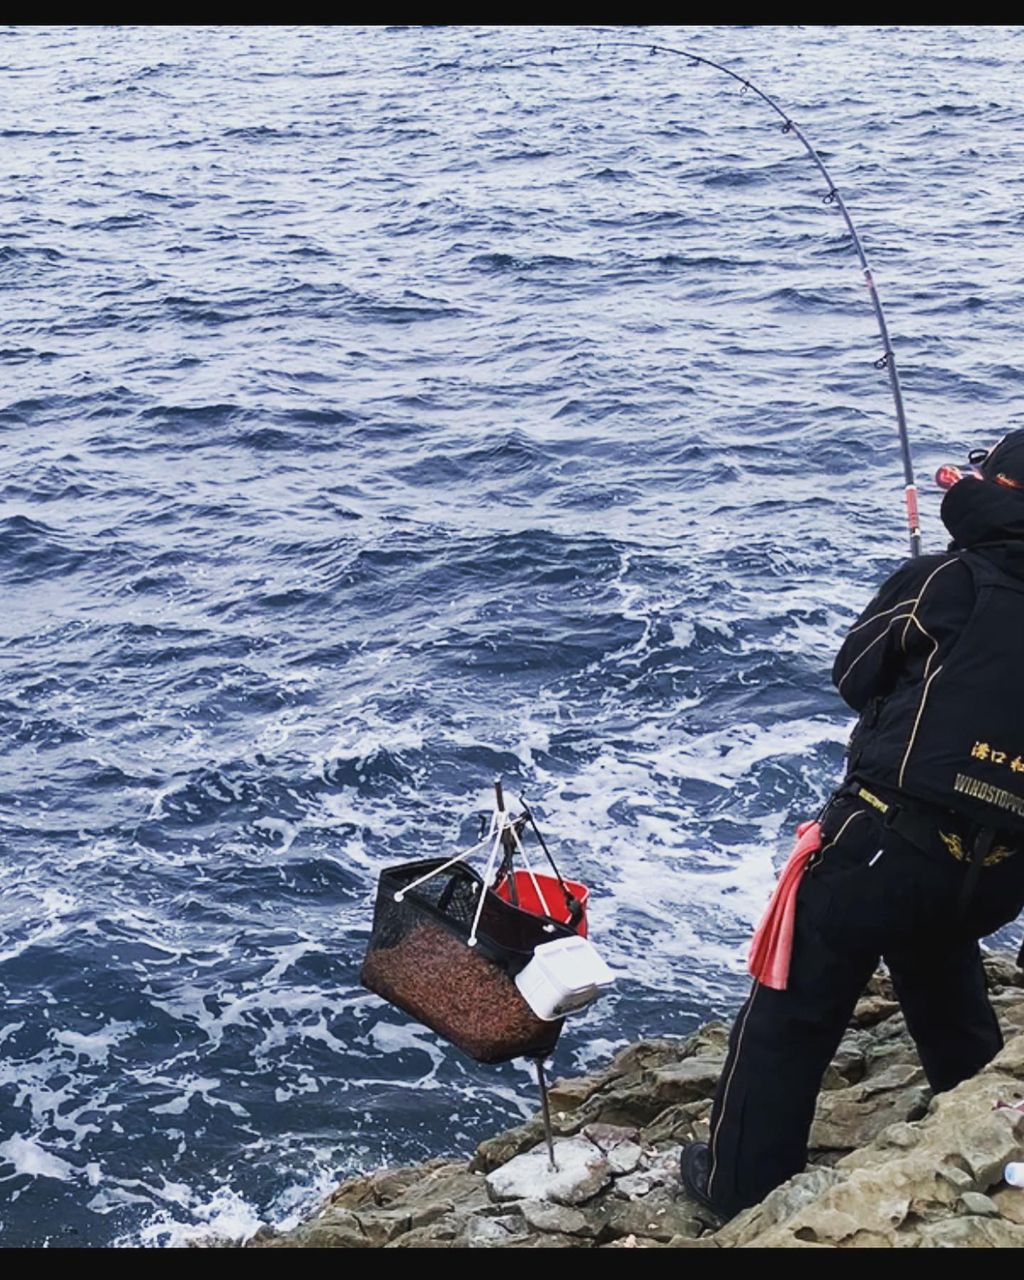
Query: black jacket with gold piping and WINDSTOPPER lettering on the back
{"points": [[935, 668]]}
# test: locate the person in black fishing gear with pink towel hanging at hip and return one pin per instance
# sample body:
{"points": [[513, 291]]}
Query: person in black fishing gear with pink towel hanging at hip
{"points": [[917, 856]]}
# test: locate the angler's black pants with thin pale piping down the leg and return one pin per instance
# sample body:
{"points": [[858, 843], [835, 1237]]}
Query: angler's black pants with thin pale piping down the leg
{"points": [[868, 897]]}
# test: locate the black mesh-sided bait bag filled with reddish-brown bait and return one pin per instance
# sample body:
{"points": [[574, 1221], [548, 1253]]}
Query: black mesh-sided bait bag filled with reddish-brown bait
{"points": [[419, 959]]}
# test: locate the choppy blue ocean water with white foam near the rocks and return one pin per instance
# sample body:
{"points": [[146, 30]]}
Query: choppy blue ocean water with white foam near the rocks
{"points": [[386, 410]]}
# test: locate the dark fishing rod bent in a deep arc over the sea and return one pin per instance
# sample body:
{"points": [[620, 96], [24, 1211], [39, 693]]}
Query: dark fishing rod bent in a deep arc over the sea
{"points": [[888, 360]]}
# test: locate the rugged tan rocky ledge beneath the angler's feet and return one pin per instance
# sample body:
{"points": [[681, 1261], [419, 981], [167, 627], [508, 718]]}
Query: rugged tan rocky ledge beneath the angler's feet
{"points": [[892, 1167]]}
